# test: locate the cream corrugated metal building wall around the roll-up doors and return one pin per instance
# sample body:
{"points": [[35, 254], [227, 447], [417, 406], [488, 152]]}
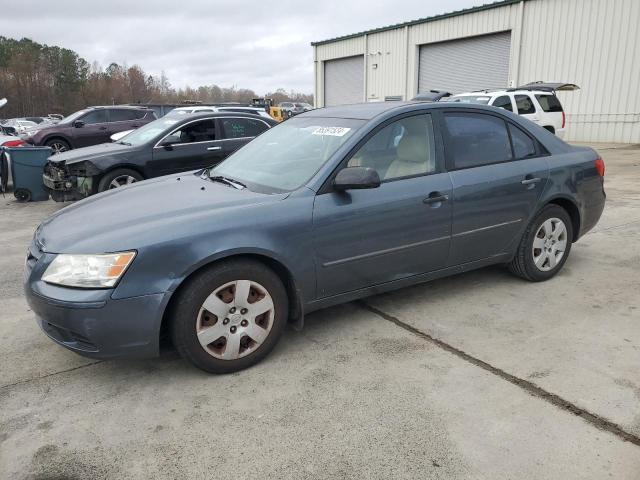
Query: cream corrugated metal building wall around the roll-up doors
{"points": [[594, 43]]}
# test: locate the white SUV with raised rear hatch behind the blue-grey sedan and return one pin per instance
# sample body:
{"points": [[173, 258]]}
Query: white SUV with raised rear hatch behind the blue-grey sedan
{"points": [[535, 101]]}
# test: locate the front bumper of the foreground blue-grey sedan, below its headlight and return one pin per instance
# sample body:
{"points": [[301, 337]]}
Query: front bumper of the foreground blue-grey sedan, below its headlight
{"points": [[91, 322]]}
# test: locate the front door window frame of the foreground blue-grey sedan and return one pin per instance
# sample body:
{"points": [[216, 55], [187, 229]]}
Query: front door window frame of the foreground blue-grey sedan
{"points": [[327, 185]]}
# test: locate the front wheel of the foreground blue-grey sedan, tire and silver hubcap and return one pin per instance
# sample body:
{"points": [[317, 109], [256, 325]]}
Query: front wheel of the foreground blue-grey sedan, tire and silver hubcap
{"points": [[235, 339]]}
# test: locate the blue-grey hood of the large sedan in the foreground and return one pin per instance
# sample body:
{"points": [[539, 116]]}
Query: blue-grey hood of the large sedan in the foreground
{"points": [[147, 213]]}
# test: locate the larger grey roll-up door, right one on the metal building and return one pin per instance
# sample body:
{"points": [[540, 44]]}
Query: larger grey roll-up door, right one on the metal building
{"points": [[467, 64]]}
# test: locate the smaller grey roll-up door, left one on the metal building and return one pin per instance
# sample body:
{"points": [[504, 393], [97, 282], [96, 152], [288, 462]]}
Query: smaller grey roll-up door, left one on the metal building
{"points": [[344, 81]]}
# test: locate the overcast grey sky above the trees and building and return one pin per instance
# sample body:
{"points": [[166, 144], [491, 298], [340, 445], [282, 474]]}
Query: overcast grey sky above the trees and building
{"points": [[258, 44]]}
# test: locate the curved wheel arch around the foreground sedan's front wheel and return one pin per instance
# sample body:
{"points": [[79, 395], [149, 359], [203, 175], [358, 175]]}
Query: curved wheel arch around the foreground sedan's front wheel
{"points": [[296, 313]]}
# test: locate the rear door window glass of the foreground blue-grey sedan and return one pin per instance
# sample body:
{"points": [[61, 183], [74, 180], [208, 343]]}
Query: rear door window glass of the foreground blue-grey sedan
{"points": [[476, 139]]}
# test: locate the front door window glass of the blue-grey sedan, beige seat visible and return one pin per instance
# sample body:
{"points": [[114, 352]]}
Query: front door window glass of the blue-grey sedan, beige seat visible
{"points": [[403, 148]]}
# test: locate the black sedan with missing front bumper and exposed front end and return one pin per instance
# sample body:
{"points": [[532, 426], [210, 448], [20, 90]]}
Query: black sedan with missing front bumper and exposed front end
{"points": [[164, 146]]}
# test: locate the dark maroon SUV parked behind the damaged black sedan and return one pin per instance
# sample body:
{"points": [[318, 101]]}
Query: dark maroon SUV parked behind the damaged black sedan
{"points": [[90, 126]]}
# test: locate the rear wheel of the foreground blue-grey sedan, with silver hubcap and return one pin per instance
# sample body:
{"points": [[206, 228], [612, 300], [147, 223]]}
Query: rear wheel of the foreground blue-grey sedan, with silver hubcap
{"points": [[552, 232]]}
